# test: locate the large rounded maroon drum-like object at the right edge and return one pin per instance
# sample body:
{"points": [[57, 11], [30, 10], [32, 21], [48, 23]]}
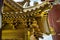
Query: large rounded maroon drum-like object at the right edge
{"points": [[54, 20]]}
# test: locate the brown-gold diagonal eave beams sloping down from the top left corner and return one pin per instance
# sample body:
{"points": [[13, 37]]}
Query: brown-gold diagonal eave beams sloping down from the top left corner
{"points": [[13, 5]]}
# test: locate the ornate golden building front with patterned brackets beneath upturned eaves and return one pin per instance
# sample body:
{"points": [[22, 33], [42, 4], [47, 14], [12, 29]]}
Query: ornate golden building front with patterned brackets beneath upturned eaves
{"points": [[17, 20]]}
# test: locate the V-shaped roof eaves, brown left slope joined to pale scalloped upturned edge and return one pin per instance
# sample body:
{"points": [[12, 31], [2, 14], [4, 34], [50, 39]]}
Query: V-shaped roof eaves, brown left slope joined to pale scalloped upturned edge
{"points": [[21, 9]]}
